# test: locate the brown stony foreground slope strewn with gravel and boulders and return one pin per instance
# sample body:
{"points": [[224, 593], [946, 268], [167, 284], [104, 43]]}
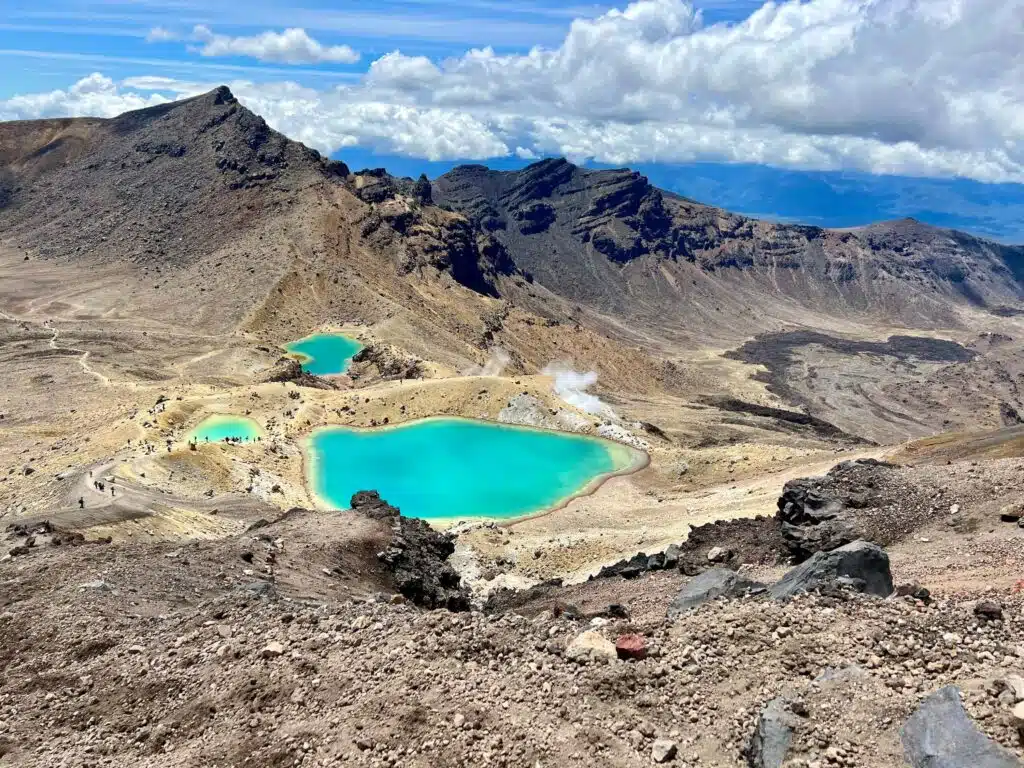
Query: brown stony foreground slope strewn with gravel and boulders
{"points": [[310, 641]]}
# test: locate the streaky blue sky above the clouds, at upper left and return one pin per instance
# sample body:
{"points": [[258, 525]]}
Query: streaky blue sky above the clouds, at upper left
{"points": [[48, 45]]}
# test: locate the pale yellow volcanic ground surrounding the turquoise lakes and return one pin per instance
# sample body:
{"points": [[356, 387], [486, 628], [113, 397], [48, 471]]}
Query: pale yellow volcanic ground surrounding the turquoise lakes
{"points": [[81, 378]]}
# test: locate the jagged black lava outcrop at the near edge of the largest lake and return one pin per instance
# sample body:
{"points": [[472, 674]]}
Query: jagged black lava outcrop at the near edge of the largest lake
{"points": [[417, 557]]}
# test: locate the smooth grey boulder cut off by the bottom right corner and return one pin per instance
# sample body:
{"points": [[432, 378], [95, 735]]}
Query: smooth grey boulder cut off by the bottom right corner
{"points": [[941, 735]]}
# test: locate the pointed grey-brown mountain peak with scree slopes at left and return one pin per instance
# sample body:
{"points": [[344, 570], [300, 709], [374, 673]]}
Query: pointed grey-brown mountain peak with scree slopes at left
{"points": [[164, 186]]}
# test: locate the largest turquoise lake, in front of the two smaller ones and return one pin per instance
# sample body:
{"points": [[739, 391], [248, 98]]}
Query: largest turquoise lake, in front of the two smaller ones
{"points": [[459, 468]]}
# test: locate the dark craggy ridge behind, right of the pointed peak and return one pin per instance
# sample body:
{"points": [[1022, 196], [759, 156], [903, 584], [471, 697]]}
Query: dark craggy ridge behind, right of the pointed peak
{"points": [[563, 223]]}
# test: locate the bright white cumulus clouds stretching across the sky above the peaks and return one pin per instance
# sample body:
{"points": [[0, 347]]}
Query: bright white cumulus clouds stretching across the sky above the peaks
{"points": [[917, 88]]}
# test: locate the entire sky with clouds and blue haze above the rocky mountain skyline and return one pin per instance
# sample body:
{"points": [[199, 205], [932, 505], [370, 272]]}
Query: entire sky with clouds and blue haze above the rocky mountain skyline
{"points": [[831, 112]]}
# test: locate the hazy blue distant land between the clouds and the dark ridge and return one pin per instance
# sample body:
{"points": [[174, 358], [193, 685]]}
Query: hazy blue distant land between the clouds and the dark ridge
{"points": [[824, 198]]}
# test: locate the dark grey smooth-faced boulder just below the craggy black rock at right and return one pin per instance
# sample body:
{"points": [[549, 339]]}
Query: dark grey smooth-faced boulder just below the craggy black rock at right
{"points": [[862, 566]]}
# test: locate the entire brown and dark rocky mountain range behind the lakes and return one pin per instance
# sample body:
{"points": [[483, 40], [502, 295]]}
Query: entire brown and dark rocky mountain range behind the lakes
{"points": [[168, 188]]}
